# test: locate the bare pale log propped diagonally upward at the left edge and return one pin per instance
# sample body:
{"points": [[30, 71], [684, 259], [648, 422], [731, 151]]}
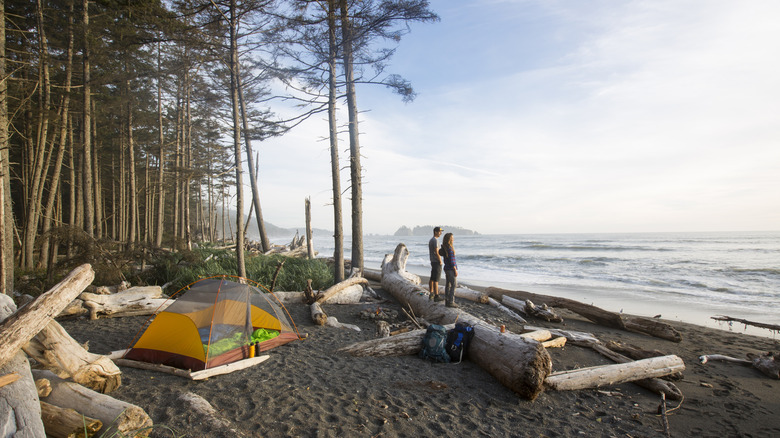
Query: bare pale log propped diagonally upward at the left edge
{"points": [[20, 327]]}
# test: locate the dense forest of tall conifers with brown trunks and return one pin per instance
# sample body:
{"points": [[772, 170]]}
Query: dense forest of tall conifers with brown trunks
{"points": [[127, 126]]}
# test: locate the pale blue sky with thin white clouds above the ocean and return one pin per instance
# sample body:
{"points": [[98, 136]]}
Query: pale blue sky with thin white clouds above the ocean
{"points": [[545, 116]]}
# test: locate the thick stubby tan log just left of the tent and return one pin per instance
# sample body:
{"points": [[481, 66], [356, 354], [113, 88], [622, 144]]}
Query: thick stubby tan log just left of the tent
{"points": [[55, 350]]}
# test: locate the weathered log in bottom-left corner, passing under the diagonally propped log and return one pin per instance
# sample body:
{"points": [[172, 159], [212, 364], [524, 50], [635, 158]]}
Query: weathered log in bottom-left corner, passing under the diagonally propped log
{"points": [[20, 411]]}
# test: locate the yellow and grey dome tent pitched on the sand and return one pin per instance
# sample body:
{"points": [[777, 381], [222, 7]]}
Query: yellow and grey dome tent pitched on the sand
{"points": [[214, 323]]}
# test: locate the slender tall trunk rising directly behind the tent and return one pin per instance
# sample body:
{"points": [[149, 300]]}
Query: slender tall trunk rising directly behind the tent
{"points": [[241, 265]]}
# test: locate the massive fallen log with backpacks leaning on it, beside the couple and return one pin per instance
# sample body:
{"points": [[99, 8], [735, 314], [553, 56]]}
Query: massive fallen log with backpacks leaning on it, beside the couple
{"points": [[518, 363]]}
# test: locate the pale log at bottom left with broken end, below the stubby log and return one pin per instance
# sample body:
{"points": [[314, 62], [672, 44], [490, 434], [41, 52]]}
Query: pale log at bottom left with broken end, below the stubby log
{"points": [[116, 415]]}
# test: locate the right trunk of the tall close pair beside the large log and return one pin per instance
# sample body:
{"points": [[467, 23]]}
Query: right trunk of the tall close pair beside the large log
{"points": [[354, 143]]}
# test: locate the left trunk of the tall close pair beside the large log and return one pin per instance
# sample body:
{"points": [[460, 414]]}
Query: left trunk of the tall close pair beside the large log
{"points": [[335, 168]]}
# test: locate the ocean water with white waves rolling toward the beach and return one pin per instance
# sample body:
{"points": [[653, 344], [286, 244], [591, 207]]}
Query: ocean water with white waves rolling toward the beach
{"points": [[683, 276]]}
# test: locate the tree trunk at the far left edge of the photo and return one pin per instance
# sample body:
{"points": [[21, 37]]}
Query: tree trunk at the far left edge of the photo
{"points": [[6, 216]]}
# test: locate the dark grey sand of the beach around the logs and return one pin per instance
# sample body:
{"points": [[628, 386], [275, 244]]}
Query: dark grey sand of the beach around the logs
{"points": [[308, 389]]}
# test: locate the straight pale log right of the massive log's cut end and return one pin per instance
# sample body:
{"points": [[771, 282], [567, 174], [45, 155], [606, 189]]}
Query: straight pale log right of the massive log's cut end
{"points": [[595, 377]]}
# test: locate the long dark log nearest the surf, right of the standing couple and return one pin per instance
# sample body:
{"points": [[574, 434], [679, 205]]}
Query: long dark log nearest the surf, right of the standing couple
{"points": [[649, 326]]}
